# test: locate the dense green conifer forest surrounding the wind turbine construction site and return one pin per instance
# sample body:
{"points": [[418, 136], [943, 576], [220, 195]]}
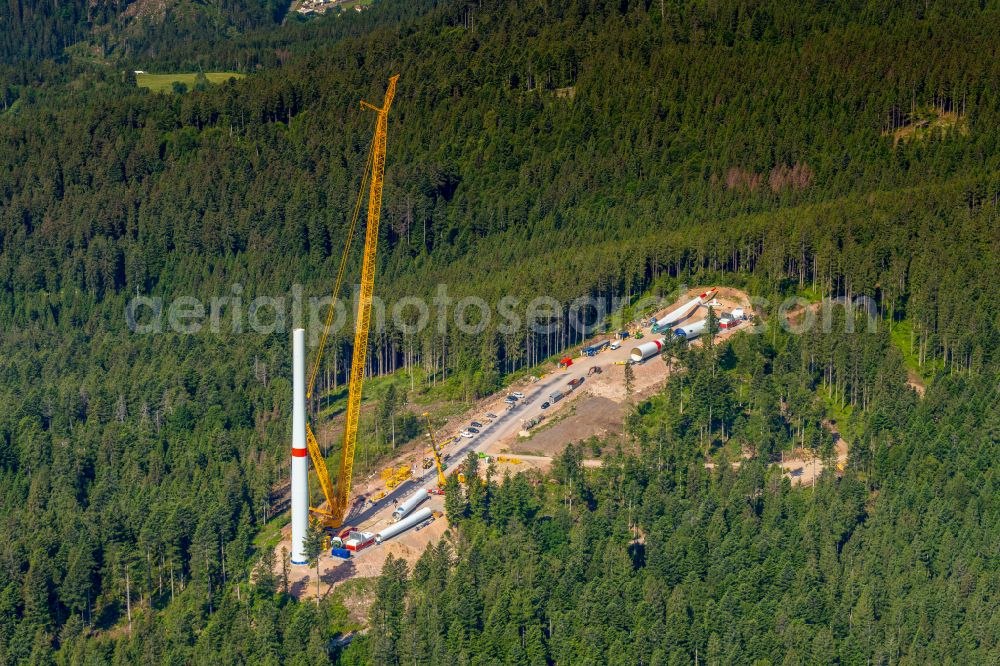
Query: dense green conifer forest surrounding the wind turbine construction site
{"points": [[610, 150]]}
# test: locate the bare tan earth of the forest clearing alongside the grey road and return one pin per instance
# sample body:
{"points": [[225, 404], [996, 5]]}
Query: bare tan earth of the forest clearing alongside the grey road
{"points": [[594, 411]]}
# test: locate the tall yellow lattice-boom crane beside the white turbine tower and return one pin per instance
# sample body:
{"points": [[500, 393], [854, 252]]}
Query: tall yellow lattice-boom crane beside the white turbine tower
{"points": [[337, 497]]}
